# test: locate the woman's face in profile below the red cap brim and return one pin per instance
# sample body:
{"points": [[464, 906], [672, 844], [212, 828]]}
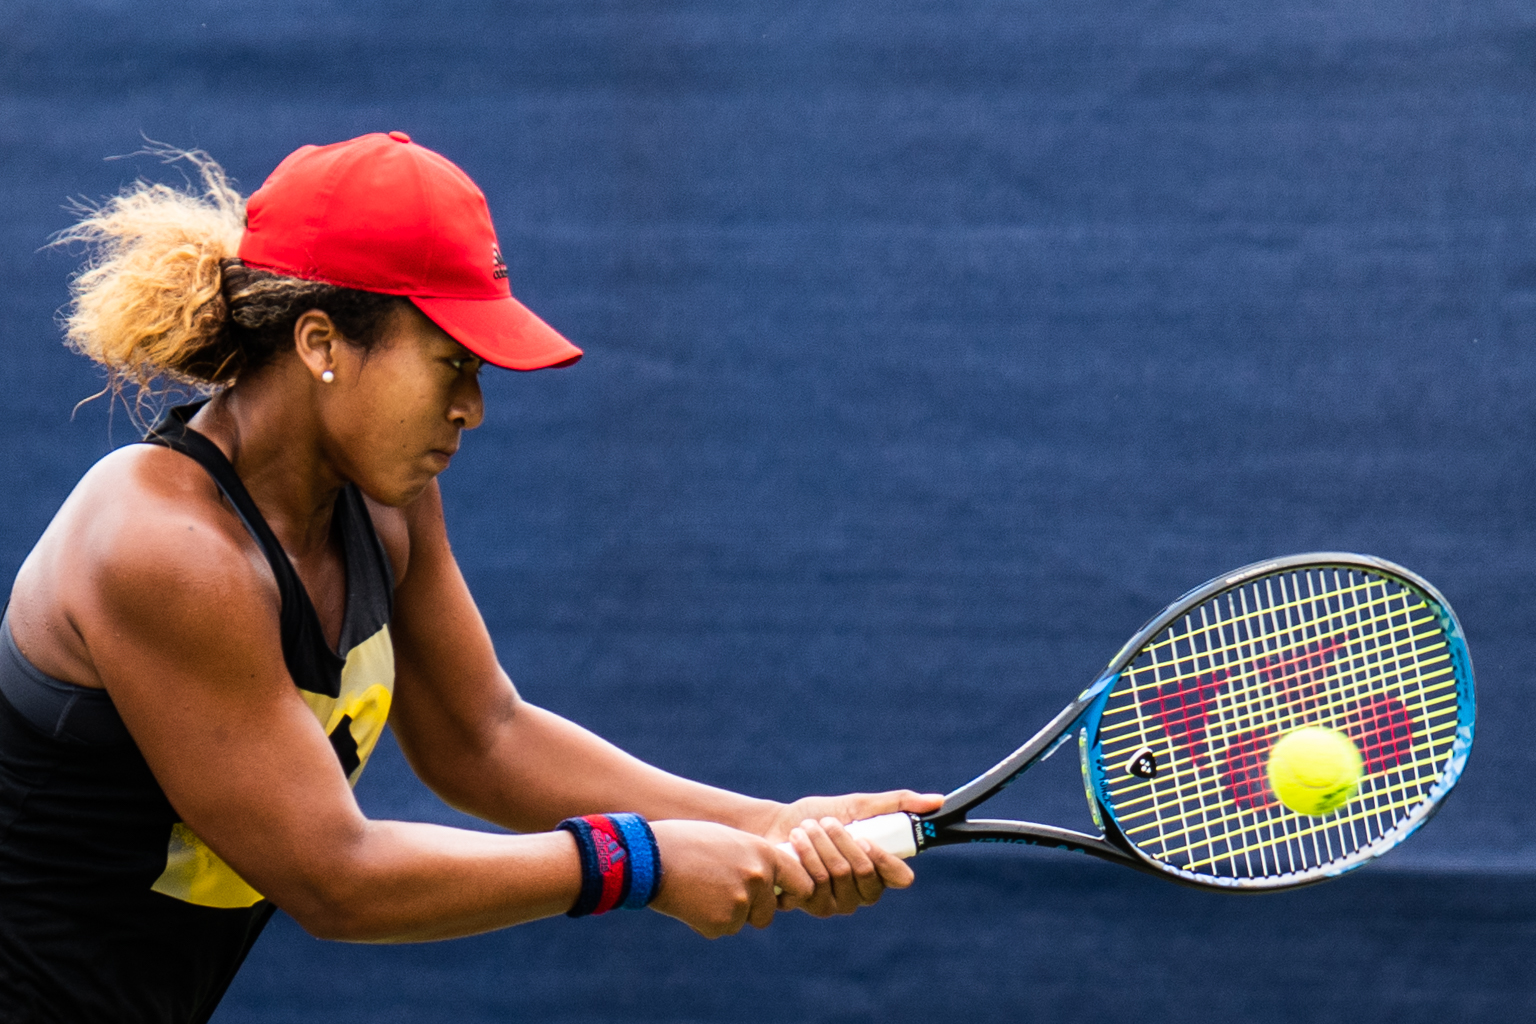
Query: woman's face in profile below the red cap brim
{"points": [[396, 412]]}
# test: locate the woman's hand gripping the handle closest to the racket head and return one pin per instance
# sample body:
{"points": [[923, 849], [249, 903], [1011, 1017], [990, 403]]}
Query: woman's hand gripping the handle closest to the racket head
{"points": [[846, 873]]}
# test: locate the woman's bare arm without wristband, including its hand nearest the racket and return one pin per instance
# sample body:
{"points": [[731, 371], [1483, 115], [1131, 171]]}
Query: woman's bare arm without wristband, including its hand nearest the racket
{"points": [[485, 750]]}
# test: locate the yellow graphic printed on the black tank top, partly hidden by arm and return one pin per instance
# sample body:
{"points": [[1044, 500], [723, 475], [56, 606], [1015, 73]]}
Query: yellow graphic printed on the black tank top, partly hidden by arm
{"points": [[354, 721]]}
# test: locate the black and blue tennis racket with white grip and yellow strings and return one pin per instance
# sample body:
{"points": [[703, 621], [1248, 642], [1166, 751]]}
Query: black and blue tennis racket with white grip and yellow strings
{"points": [[1176, 735]]}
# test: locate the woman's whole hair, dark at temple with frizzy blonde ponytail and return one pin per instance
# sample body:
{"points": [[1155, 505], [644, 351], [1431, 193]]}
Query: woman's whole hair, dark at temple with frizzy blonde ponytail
{"points": [[164, 299]]}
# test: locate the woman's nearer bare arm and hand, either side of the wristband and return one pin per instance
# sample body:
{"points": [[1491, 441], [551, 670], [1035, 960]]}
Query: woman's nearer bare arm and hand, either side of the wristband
{"points": [[180, 623]]}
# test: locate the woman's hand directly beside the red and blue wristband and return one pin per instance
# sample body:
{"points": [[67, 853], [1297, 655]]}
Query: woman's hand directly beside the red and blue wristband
{"points": [[715, 879]]}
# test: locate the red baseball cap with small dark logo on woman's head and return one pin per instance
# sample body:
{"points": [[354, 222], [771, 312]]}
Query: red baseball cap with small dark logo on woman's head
{"points": [[383, 214]]}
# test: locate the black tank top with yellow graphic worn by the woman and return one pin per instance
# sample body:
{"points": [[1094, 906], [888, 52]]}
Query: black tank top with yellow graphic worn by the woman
{"points": [[111, 910]]}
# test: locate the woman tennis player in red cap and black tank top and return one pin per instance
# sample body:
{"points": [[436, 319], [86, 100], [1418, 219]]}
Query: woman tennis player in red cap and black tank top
{"points": [[200, 653]]}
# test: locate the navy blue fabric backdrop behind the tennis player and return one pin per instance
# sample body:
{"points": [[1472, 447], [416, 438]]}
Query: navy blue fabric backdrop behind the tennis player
{"points": [[933, 346]]}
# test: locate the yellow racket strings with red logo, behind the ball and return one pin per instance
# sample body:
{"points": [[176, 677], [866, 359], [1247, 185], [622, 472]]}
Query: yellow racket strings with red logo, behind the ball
{"points": [[1210, 696]]}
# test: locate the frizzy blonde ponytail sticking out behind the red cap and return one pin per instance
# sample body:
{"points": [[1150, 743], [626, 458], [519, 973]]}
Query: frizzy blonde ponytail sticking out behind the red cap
{"points": [[150, 303]]}
